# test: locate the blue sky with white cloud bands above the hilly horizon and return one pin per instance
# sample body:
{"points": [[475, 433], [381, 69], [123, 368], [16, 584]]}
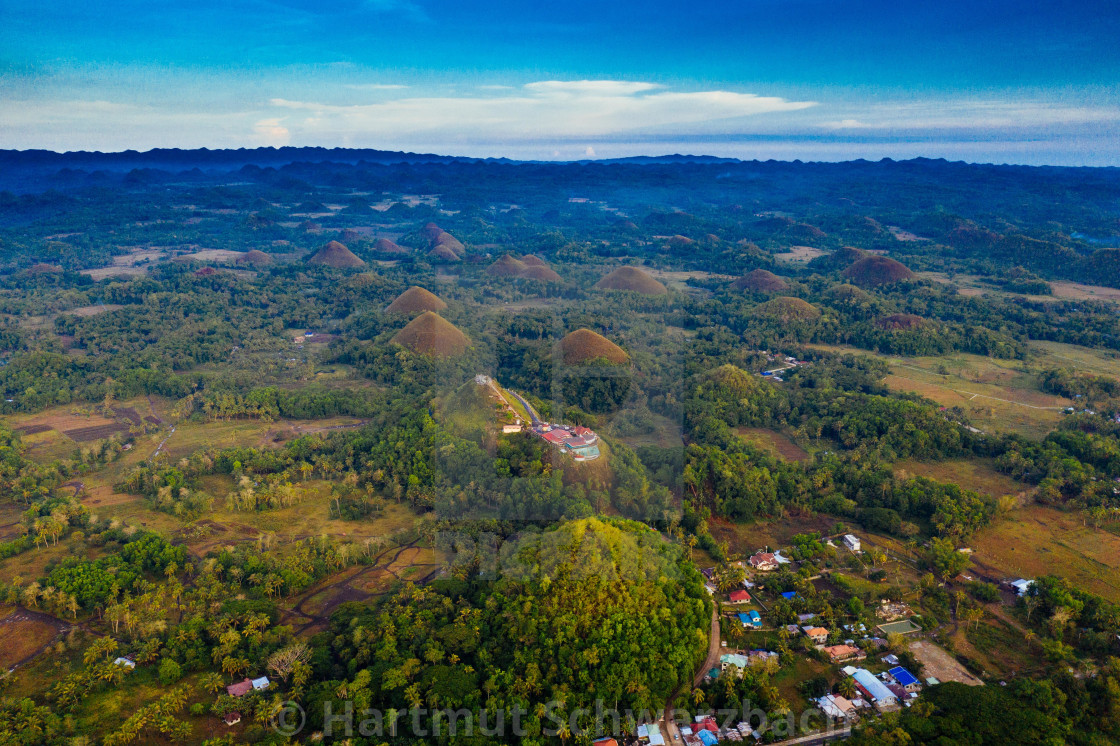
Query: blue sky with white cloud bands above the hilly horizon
{"points": [[1004, 82]]}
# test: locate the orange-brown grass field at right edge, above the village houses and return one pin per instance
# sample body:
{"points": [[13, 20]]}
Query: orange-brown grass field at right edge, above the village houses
{"points": [[1040, 540]]}
